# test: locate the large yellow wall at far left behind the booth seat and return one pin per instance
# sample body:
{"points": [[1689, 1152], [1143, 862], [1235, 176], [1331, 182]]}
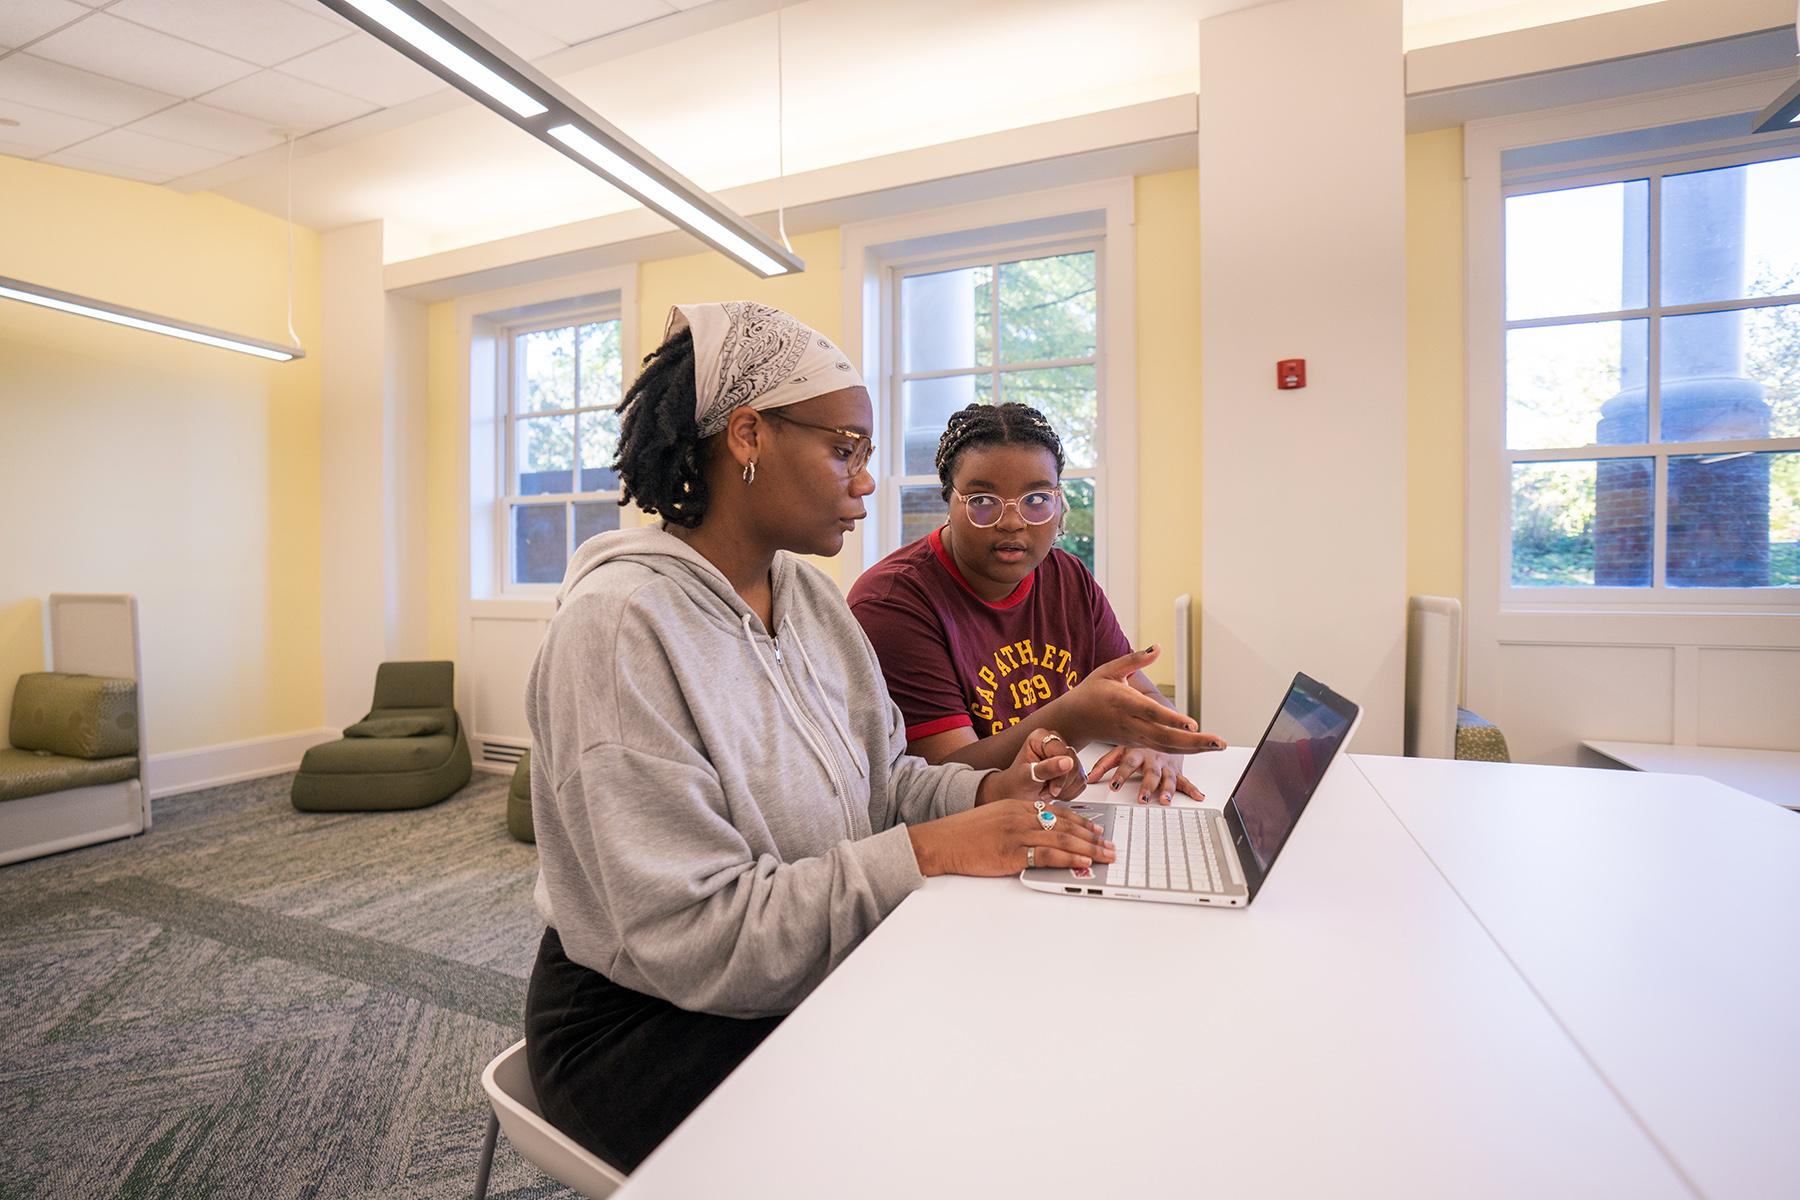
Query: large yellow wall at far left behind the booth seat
{"points": [[136, 463]]}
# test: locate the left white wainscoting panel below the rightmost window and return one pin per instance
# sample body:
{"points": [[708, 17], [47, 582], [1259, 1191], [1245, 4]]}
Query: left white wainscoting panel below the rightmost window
{"points": [[1554, 697]]}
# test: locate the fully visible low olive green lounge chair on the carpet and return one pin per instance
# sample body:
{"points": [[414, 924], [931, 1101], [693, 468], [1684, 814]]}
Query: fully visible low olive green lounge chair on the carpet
{"points": [[409, 753]]}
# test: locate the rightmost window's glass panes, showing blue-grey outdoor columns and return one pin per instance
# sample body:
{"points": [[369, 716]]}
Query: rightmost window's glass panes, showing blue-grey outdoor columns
{"points": [[1653, 381]]}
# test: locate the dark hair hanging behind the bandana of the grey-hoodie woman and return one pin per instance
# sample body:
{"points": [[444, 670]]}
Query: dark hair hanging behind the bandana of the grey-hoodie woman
{"points": [[661, 452]]}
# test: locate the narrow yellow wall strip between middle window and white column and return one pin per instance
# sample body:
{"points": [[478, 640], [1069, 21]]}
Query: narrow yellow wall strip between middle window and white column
{"points": [[1169, 407]]}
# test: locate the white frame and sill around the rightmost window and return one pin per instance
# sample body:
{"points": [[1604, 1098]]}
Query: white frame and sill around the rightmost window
{"points": [[1498, 613]]}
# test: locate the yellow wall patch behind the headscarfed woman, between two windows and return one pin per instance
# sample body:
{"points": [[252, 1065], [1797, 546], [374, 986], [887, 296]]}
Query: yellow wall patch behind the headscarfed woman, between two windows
{"points": [[814, 296]]}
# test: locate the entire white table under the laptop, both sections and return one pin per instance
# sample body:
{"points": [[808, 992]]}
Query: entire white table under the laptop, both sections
{"points": [[1419, 1005]]}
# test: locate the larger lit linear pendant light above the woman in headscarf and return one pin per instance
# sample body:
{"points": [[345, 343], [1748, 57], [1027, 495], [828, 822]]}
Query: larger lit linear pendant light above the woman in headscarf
{"points": [[444, 42]]}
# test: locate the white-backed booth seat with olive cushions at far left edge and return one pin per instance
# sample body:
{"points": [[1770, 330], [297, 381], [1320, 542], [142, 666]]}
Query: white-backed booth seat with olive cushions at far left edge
{"points": [[76, 771]]}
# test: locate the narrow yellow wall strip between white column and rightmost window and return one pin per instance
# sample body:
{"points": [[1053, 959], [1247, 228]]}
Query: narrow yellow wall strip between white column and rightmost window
{"points": [[1435, 364]]}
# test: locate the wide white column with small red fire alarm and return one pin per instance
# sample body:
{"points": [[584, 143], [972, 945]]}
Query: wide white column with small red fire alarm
{"points": [[1304, 256]]}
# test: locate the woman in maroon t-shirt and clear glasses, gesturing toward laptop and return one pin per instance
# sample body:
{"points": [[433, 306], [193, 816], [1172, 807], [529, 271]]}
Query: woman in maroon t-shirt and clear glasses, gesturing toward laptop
{"points": [[987, 632]]}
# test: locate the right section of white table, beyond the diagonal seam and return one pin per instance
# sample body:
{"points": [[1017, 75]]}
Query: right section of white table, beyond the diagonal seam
{"points": [[1660, 922]]}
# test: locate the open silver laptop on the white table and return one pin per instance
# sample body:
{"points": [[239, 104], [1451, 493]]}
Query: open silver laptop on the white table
{"points": [[1218, 857]]}
